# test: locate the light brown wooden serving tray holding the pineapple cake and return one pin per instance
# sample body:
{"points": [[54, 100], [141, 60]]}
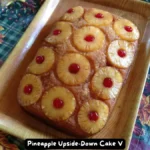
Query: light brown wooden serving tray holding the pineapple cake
{"points": [[120, 124]]}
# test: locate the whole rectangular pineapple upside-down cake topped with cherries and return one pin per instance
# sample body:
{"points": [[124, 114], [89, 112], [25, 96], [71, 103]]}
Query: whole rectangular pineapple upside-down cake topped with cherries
{"points": [[77, 73]]}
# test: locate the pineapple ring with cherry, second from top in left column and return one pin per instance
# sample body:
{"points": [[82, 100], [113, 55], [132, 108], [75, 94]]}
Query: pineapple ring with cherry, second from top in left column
{"points": [[61, 32]]}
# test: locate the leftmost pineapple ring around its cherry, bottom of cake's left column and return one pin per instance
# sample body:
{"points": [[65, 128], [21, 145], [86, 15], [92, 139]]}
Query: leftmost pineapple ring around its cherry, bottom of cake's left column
{"points": [[33, 97]]}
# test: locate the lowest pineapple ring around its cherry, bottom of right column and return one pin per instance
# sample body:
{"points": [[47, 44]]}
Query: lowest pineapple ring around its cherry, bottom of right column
{"points": [[93, 126]]}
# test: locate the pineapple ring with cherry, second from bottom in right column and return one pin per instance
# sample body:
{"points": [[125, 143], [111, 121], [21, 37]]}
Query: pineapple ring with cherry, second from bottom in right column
{"points": [[114, 85]]}
